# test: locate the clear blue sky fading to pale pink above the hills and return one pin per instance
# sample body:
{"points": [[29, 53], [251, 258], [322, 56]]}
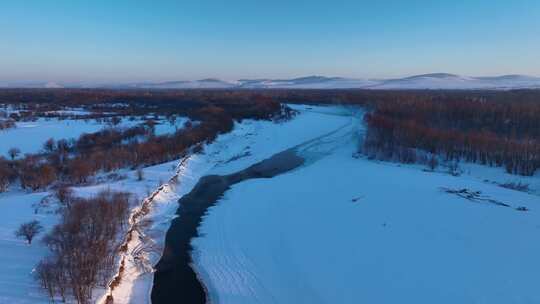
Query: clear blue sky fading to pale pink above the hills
{"points": [[121, 40]]}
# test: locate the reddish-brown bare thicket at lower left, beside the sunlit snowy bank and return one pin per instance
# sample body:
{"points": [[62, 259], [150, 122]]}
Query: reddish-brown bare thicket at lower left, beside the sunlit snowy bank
{"points": [[83, 246]]}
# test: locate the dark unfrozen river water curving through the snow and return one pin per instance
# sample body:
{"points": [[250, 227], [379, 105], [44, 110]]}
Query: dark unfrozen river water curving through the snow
{"points": [[175, 281]]}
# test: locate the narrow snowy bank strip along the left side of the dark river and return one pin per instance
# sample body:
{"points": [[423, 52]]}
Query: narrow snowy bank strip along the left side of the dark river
{"points": [[250, 142]]}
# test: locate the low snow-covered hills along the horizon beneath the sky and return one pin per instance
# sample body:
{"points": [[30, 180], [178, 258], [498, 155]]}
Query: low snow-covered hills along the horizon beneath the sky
{"points": [[436, 81]]}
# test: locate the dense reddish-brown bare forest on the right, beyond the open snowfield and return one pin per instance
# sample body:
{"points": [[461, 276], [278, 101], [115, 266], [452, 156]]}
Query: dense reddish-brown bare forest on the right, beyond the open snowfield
{"points": [[474, 130]]}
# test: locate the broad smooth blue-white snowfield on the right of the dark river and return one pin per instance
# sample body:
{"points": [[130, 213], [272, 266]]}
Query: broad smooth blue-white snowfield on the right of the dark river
{"points": [[347, 230]]}
